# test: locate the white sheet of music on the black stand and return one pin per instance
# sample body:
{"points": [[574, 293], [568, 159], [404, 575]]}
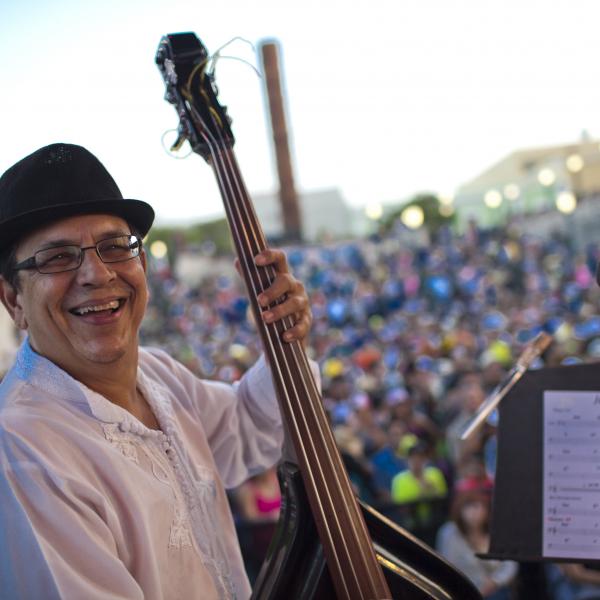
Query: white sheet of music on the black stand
{"points": [[571, 475]]}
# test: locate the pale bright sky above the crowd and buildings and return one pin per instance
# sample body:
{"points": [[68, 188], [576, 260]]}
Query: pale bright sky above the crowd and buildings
{"points": [[385, 99]]}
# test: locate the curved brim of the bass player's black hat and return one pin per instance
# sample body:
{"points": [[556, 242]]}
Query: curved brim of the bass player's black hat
{"points": [[136, 212]]}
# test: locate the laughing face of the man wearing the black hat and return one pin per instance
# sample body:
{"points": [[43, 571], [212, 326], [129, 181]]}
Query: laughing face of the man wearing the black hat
{"points": [[49, 306]]}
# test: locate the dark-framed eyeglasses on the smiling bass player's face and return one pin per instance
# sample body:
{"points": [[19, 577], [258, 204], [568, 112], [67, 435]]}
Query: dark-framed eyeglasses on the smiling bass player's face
{"points": [[68, 258]]}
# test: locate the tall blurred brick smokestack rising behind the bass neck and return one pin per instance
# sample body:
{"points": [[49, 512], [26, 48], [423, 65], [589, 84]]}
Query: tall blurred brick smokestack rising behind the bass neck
{"points": [[290, 209]]}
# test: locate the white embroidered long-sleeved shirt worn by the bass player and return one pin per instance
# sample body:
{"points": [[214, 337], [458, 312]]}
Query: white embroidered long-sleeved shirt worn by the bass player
{"points": [[93, 504]]}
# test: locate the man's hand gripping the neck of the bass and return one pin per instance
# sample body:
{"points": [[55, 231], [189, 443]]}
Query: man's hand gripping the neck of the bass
{"points": [[291, 294]]}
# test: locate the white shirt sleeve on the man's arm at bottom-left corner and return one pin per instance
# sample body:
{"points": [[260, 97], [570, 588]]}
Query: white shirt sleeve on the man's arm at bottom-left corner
{"points": [[55, 544]]}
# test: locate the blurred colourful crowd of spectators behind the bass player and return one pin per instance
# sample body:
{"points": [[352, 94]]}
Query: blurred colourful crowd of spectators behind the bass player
{"points": [[410, 340]]}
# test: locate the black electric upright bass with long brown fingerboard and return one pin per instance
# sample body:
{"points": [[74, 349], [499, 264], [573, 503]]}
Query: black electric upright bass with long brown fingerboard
{"points": [[327, 544]]}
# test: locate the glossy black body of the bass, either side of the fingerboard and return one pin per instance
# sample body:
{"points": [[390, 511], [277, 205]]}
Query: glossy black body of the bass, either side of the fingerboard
{"points": [[295, 566]]}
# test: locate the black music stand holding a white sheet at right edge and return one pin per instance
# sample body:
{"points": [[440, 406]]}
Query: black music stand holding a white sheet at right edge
{"points": [[518, 512]]}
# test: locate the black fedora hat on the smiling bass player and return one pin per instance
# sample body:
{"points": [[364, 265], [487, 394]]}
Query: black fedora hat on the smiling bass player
{"points": [[59, 181]]}
